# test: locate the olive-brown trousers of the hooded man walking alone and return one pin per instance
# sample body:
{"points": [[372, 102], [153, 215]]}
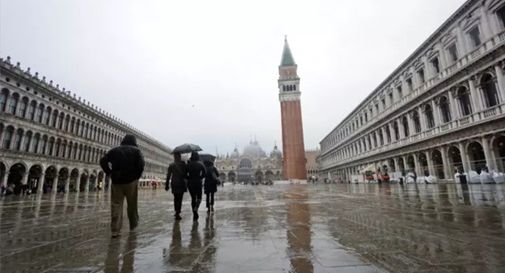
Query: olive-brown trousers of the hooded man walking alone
{"points": [[119, 192]]}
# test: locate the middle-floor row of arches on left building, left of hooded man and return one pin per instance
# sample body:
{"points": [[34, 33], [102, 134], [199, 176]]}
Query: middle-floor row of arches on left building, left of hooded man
{"points": [[28, 141]]}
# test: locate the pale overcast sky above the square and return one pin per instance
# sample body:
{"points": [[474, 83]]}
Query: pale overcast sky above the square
{"points": [[206, 71]]}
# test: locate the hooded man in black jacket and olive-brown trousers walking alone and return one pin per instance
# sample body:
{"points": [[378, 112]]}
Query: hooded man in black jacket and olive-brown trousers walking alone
{"points": [[124, 165]]}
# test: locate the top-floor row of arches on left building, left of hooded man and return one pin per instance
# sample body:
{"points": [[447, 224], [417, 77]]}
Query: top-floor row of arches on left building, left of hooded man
{"points": [[12, 103]]}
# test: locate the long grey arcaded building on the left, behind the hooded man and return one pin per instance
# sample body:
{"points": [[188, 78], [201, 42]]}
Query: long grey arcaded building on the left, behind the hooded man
{"points": [[52, 140]]}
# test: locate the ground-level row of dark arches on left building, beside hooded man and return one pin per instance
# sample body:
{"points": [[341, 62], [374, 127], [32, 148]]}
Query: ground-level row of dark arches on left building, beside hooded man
{"points": [[23, 178]]}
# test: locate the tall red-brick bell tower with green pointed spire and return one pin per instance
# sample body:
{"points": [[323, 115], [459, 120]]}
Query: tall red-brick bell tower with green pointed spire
{"points": [[291, 114]]}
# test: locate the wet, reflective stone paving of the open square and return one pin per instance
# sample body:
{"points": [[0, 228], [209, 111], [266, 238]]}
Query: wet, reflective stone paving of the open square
{"points": [[280, 228]]}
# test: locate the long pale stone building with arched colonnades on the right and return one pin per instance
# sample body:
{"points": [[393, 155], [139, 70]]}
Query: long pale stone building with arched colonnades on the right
{"points": [[442, 109]]}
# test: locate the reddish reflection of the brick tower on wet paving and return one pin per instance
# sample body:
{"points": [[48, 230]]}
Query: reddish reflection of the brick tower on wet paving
{"points": [[298, 230]]}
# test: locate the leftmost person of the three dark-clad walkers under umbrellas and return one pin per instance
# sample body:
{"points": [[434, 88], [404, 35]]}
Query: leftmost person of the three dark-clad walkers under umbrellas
{"points": [[176, 179]]}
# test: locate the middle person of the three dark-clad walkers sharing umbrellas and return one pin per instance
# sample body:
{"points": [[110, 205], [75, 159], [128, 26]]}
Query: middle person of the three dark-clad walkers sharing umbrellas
{"points": [[196, 172]]}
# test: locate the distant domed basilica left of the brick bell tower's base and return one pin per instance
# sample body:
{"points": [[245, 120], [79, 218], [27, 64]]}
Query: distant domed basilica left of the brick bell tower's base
{"points": [[253, 165]]}
